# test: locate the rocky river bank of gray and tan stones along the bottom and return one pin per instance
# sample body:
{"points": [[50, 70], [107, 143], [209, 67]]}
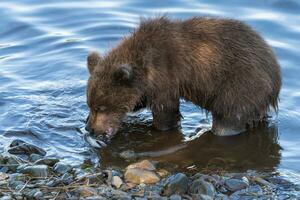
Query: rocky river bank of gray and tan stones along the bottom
{"points": [[26, 172]]}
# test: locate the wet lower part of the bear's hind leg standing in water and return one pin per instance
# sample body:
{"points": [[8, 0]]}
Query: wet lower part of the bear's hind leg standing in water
{"points": [[224, 127]]}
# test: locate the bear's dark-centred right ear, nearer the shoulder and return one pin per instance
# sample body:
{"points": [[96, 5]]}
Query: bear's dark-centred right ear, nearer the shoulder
{"points": [[123, 74]]}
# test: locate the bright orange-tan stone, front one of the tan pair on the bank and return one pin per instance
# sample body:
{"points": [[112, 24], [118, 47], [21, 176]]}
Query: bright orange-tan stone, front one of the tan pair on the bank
{"points": [[141, 176]]}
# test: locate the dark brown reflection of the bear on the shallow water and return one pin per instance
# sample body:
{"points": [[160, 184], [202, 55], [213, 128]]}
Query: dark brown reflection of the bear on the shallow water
{"points": [[256, 149]]}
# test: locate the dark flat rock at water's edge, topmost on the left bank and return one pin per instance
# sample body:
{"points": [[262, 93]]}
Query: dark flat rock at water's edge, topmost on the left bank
{"points": [[21, 147]]}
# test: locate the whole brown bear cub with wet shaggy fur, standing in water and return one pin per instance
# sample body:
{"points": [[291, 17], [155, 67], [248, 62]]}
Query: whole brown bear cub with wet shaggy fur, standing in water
{"points": [[221, 65]]}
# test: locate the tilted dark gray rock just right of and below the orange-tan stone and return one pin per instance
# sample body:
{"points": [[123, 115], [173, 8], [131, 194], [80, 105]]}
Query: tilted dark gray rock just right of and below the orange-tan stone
{"points": [[176, 184]]}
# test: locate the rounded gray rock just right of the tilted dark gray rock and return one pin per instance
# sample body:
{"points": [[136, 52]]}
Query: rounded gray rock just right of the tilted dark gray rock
{"points": [[200, 186]]}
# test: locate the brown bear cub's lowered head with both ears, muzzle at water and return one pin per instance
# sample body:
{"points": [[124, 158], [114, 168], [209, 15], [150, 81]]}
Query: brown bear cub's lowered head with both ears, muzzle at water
{"points": [[112, 91]]}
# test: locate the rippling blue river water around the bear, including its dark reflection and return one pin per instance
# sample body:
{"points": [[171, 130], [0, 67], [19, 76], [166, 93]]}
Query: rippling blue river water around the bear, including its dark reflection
{"points": [[43, 48]]}
